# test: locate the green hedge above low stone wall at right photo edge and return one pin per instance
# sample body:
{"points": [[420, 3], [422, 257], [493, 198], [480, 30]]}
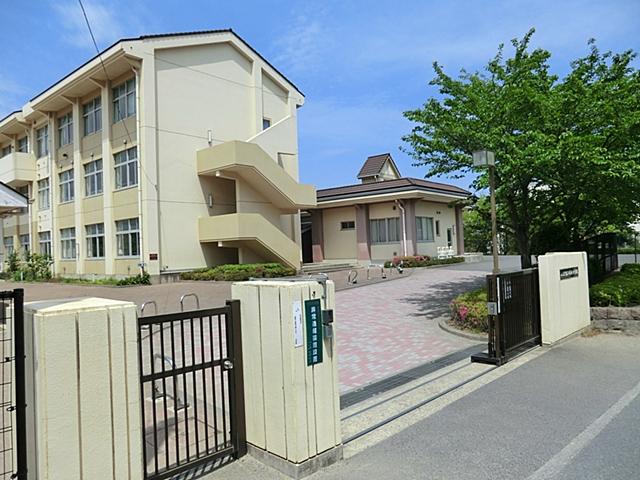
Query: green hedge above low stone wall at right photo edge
{"points": [[622, 289]]}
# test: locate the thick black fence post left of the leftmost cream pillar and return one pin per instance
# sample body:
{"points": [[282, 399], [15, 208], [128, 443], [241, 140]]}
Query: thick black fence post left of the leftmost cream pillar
{"points": [[21, 397]]}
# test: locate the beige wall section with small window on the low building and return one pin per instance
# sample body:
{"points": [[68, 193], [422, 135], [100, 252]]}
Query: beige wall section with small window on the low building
{"points": [[339, 244]]}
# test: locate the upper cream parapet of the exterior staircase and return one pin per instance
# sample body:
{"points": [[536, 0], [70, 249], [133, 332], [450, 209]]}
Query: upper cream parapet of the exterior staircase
{"points": [[251, 164]]}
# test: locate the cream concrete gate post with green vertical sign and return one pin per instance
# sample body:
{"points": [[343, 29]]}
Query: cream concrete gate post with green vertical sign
{"points": [[292, 407]]}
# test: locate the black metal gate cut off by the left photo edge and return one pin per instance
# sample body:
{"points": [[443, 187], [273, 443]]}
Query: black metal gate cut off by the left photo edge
{"points": [[13, 449]]}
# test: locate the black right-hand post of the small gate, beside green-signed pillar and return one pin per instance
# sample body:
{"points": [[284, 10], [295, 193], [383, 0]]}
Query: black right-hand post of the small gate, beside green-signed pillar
{"points": [[234, 341]]}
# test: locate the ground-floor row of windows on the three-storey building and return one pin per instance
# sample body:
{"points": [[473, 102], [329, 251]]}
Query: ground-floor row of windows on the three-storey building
{"points": [[127, 241]]}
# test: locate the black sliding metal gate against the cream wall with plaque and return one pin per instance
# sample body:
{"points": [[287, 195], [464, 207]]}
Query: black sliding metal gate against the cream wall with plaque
{"points": [[514, 315]]}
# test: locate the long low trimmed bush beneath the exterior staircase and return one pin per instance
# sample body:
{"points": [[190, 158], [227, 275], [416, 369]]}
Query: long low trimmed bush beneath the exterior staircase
{"points": [[239, 272]]}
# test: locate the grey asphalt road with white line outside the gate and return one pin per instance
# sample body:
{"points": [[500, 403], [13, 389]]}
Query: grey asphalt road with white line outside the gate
{"points": [[572, 412]]}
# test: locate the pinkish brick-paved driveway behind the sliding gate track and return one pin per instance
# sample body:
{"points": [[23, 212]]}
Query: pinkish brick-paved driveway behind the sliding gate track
{"points": [[388, 328]]}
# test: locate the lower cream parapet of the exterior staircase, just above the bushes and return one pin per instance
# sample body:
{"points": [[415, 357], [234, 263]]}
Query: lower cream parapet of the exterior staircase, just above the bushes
{"points": [[252, 231]]}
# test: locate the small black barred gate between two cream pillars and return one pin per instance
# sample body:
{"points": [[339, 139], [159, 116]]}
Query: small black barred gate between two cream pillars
{"points": [[192, 390]]}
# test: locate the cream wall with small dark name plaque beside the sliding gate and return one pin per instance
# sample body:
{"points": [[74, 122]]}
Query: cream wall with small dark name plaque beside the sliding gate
{"points": [[564, 303]]}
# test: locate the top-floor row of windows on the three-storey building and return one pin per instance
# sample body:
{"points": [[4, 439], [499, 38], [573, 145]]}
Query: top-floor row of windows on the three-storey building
{"points": [[124, 106]]}
